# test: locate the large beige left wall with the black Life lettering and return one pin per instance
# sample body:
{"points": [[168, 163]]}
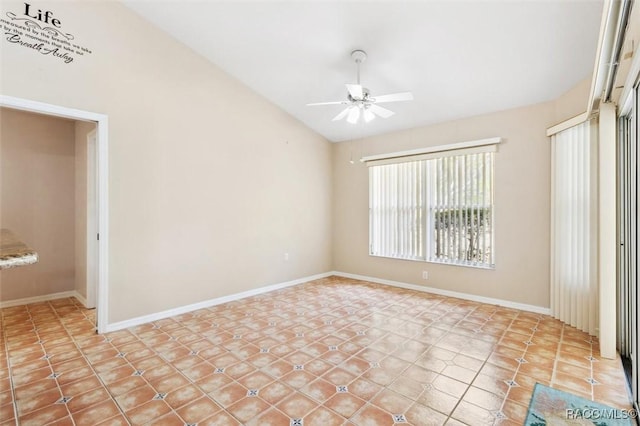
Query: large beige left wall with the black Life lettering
{"points": [[209, 184]]}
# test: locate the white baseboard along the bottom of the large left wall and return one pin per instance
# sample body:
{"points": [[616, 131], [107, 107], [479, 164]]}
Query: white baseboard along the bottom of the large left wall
{"points": [[211, 302]]}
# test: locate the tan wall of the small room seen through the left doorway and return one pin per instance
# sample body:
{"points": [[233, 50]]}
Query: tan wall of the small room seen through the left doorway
{"points": [[37, 200]]}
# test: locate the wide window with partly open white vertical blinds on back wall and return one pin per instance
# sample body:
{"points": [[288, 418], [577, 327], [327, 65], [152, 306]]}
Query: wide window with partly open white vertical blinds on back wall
{"points": [[436, 208]]}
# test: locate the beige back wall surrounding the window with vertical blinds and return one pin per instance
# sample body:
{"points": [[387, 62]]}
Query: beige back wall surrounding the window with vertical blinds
{"points": [[522, 171]]}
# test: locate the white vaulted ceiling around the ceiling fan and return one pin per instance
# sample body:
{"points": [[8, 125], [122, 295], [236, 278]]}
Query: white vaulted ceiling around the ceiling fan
{"points": [[459, 58]]}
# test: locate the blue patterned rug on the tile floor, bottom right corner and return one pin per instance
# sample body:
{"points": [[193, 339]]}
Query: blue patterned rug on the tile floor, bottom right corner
{"points": [[554, 407]]}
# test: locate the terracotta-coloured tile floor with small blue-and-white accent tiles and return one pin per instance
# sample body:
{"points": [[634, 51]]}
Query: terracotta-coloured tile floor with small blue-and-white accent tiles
{"points": [[329, 352]]}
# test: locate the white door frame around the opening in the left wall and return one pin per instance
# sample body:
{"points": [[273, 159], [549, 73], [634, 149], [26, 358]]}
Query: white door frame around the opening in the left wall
{"points": [[102, 187]]}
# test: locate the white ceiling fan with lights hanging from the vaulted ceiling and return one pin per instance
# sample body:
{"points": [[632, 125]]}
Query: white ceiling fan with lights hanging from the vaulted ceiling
{"points": [[359, 100]]}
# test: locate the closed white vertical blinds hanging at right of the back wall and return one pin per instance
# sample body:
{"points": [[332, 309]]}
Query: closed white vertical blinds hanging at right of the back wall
{"points": [[574, 286]]}
